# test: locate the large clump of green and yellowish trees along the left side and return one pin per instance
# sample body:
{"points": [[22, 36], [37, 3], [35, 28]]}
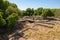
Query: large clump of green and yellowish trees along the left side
{"points": [[8, 13]]}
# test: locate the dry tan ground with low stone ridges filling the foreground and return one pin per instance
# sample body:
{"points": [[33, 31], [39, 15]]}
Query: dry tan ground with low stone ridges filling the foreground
{"points": [[38, 30]]}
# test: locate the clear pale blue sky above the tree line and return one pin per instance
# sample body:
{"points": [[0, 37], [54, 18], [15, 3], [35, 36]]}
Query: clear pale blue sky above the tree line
{"points": [[23, 4]]}
